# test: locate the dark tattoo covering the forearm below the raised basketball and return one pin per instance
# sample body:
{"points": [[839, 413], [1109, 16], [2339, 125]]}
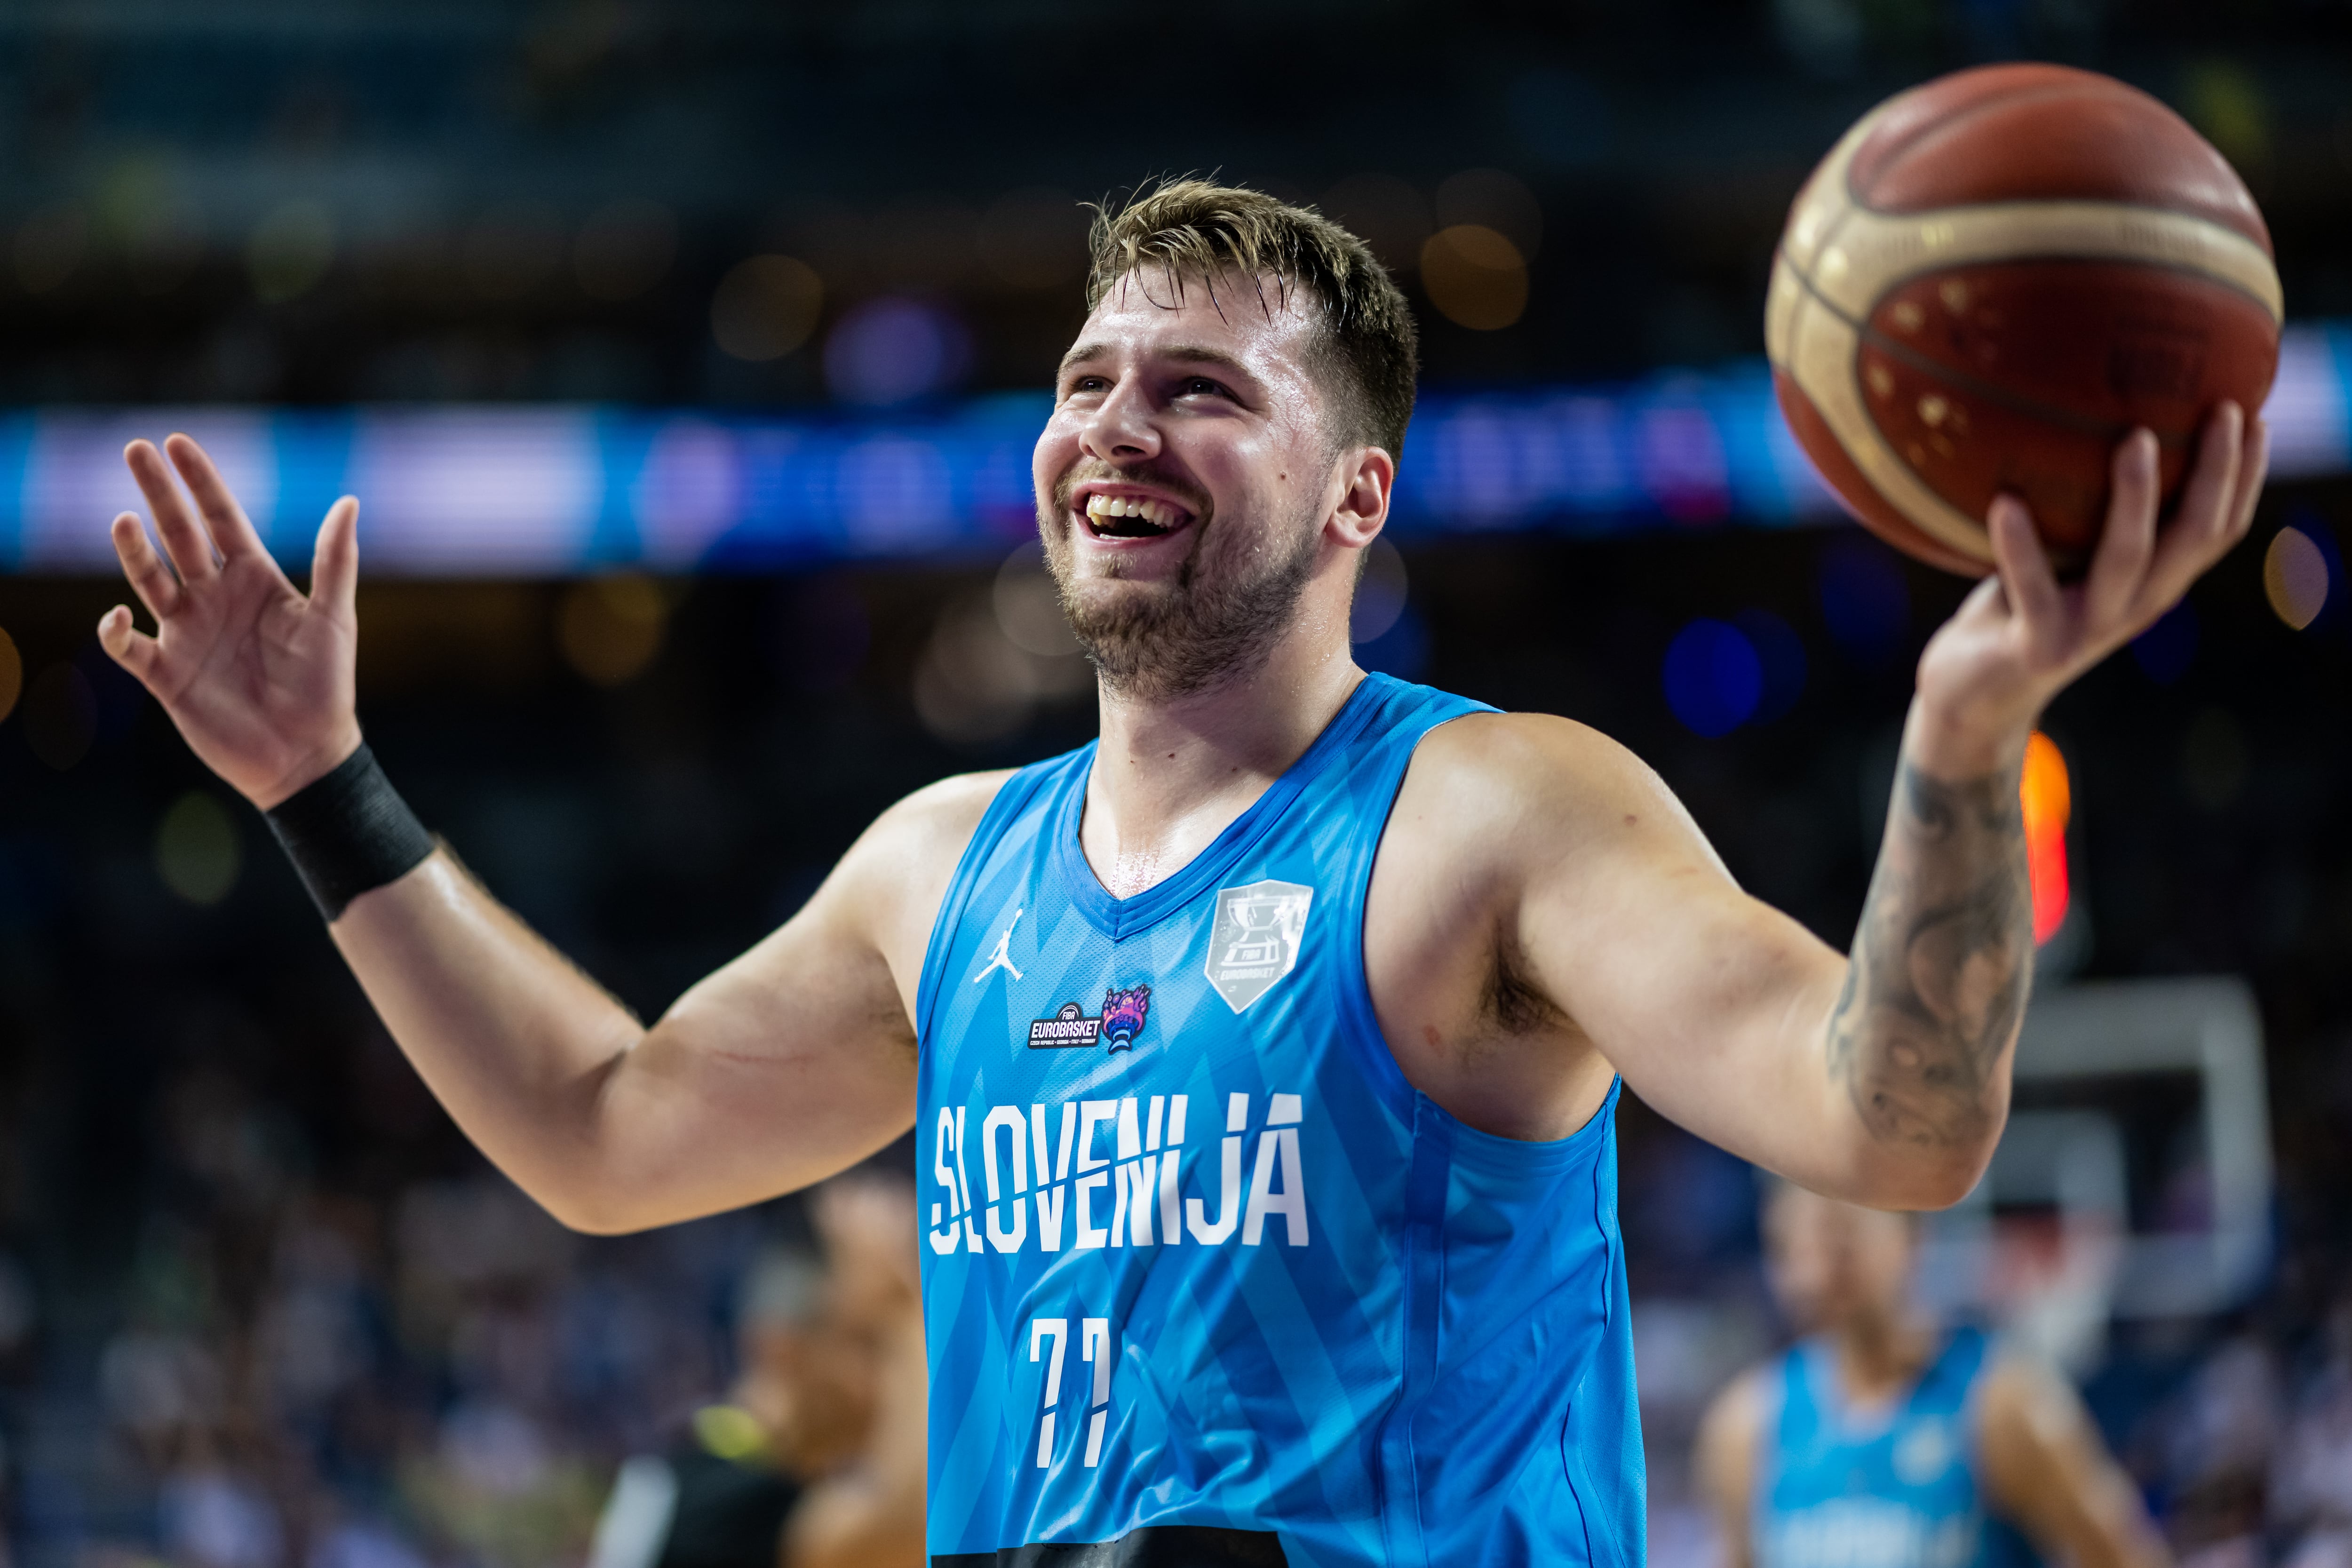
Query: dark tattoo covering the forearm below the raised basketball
{"points": [[1942, 963]]}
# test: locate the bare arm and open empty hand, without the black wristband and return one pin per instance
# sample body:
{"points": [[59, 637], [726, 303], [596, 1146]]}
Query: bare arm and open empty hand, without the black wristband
{"points": [[782, 1068]]}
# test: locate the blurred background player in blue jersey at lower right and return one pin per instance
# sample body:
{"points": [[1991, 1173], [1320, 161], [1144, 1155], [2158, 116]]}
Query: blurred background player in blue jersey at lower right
{"points": [[1880, 1442]]}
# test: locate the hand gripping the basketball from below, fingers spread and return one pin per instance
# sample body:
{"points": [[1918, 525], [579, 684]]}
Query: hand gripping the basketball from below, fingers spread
{"points": [[2024, 636]]}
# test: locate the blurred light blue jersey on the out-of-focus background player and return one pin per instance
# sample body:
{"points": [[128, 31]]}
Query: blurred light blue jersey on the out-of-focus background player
{"points": [[1890, 1489]]}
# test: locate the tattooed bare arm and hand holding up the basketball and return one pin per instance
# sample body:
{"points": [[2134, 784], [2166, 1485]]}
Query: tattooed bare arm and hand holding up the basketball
{"points": [[1883, 1078]]}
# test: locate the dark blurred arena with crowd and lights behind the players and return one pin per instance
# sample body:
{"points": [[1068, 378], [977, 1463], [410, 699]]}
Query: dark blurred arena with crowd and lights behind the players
{"points": [[686, 361]]}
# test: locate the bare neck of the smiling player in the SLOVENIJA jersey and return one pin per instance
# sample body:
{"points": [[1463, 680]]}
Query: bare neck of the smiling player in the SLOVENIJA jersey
{"points": [[1172, 775]]}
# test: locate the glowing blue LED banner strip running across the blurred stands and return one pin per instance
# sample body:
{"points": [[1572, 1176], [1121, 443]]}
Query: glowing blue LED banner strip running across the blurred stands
{"points": [[502, 490]]}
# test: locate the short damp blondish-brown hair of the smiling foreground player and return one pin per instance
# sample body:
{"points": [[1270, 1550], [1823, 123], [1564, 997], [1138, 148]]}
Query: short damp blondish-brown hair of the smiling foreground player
{"points": [[1368, 349]]}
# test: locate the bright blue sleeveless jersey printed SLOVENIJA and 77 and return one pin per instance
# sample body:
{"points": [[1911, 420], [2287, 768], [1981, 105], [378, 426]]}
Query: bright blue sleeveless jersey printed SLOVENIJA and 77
{"points": [[1203, 1273]]}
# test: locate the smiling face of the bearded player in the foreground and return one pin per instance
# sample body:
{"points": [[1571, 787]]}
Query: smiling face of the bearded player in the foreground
{"points": [[1184, 478]]}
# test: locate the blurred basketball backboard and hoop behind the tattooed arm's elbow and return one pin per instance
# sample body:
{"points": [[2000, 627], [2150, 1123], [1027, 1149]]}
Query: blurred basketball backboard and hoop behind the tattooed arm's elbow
{"points": [[2134, 1179]]}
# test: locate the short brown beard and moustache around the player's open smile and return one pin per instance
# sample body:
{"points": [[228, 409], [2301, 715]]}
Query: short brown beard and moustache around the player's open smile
{"points": [[1215, 624]]}
